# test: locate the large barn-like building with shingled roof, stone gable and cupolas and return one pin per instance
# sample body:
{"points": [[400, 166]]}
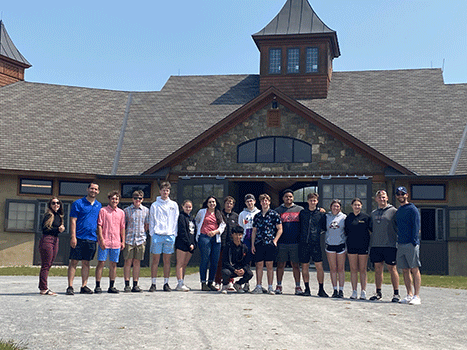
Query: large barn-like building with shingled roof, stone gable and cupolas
{"points": [[297, 124]]}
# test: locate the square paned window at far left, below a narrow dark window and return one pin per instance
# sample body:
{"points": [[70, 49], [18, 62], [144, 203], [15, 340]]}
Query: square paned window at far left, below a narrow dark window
{"points": [[20, 215]]}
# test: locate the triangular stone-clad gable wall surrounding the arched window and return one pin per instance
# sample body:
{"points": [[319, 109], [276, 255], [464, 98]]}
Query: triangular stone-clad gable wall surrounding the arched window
{"points": [[329, 155]]}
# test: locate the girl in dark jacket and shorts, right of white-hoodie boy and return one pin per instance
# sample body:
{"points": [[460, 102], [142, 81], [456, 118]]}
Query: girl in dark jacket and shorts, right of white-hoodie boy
{"points": [[185, 243]]}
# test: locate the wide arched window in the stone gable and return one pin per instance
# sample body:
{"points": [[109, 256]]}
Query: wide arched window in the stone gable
{"points": [[274, 149]]}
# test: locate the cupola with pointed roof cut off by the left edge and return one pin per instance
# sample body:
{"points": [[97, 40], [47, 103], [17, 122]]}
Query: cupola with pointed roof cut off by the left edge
{"points": [[12, 63]]}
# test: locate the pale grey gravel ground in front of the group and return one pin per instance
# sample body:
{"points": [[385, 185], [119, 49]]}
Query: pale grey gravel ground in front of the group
{"points": [[207, 320]]}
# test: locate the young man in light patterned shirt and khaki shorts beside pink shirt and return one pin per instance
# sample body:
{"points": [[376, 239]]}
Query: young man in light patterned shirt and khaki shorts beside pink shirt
{"points": [[136, 226]]}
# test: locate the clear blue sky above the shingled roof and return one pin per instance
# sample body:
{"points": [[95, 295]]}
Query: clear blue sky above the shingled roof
{"points": [[137, 45]]}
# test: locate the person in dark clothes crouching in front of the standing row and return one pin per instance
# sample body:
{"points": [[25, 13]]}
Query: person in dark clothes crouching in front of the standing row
{"points": [[235, 262]]}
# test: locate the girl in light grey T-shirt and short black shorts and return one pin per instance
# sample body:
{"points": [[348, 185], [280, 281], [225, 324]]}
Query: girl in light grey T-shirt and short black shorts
{"points": [[333, 223]]}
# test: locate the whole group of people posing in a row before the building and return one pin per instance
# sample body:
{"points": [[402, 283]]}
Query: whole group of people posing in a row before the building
{"points": [[229, 242]]}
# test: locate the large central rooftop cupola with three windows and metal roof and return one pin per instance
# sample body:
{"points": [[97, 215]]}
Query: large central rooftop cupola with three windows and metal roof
{"points": [[297, 50]]}
